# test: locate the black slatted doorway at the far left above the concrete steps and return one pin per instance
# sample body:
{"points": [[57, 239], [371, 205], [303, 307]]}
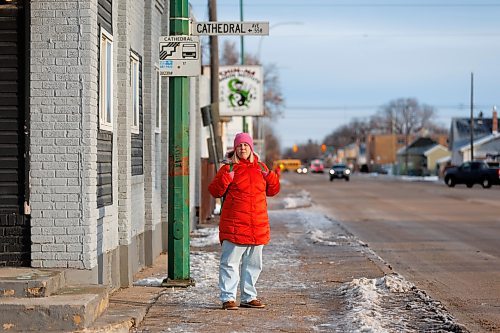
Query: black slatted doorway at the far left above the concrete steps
{"points": [[15, 242]]}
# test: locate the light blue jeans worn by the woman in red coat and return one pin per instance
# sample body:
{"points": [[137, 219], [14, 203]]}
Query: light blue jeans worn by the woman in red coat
{"points": [[250, 258]]}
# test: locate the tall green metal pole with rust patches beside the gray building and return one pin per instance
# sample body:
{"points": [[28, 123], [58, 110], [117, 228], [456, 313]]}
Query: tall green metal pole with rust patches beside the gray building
{"points": [[178, 161]]}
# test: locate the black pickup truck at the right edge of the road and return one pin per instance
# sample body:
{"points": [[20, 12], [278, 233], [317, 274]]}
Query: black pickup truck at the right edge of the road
{"points": [[470, 173]]}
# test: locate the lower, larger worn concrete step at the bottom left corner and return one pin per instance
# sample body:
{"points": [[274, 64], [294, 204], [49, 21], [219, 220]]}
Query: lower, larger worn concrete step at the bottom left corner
{"points": [[73, 308]]}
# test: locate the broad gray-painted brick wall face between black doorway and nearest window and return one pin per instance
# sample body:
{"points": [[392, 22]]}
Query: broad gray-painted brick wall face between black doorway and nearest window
{"points": [[63, 119]]}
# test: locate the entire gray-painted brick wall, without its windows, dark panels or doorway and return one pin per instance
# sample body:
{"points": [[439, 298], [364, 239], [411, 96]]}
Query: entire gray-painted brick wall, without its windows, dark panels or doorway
{"points": [[68, 230]]}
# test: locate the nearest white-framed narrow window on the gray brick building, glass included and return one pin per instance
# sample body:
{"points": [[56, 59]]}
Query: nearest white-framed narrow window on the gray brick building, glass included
{"points": [[106, 81]]}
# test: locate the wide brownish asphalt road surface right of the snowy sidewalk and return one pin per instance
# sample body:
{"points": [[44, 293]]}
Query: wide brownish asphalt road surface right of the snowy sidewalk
{"points": [[444, 240]]}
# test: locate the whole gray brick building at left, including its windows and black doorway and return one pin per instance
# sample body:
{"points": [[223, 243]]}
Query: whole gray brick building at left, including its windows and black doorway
{"points": [[83, 184]]}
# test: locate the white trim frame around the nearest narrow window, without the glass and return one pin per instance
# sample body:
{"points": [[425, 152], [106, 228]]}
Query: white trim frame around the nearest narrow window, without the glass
{"points": [[103, 80]]}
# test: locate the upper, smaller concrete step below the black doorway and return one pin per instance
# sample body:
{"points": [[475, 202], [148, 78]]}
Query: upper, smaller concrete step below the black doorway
{"points": [[29, 282]]}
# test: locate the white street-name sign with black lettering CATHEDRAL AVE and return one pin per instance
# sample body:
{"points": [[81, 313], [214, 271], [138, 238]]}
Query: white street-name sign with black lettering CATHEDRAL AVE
{"points": [[230, 28]]}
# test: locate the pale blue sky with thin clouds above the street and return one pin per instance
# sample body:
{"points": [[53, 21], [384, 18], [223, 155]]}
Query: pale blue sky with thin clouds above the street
{"points": [[343, 59]]}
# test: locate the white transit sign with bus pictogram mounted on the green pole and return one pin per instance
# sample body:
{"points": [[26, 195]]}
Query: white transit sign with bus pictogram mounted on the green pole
{"points": [[180, 55]]}
